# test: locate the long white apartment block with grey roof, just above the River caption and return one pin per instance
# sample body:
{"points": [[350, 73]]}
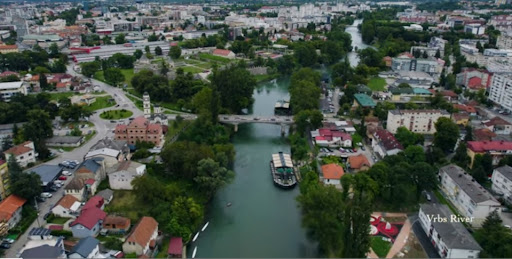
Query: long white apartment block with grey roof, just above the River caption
{"points": [[467, 195]]}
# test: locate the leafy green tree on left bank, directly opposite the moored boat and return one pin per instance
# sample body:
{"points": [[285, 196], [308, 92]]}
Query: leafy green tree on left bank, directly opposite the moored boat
{"points": [[211, 176]]}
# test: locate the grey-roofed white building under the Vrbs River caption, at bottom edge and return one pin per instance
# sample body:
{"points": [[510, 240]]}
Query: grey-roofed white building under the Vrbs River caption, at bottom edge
{"points": [[449, 237]]}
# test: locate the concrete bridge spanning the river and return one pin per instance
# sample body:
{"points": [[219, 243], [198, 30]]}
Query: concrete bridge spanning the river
{"points": [[239, 119]]}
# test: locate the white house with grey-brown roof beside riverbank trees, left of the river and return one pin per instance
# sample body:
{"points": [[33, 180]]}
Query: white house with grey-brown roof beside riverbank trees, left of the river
{"points": [[120, 176]]}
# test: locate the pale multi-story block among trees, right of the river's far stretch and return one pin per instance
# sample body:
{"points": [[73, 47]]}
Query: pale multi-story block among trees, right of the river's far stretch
{"points": [[406, 62]]}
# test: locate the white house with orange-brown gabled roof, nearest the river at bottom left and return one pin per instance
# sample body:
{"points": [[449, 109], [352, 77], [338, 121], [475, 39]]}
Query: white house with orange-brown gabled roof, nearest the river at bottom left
{"points": [[142, 238]]}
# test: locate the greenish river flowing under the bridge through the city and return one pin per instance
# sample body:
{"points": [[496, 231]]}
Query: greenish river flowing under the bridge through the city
{"points": [[263, 220]]}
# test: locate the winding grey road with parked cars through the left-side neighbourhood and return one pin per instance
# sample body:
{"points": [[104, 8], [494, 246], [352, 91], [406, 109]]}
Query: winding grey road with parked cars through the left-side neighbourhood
{"points": [[103, 129]]}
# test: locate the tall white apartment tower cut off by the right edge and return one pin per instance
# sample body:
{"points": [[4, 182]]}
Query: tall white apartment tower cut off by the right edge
{"points": [[499, 91]]}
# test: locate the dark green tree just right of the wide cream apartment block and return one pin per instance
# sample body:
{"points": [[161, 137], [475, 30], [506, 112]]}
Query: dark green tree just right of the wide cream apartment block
{"points": [[447, 134]]}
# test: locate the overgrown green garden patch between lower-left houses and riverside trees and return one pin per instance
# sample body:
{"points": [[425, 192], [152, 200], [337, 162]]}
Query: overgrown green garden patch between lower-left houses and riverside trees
{"points": [[125, 204]]}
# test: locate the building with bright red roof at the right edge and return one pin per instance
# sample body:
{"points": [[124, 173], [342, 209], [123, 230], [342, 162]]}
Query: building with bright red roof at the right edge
{"points": [[497, 149]]}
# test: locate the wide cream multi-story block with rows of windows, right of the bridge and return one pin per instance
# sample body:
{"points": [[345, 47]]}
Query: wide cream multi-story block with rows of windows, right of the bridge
{"points": [[418, 121]]}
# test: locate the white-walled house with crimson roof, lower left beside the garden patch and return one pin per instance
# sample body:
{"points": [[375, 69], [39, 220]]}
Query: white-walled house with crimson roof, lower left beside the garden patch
{"points": [[89, 223]]}
